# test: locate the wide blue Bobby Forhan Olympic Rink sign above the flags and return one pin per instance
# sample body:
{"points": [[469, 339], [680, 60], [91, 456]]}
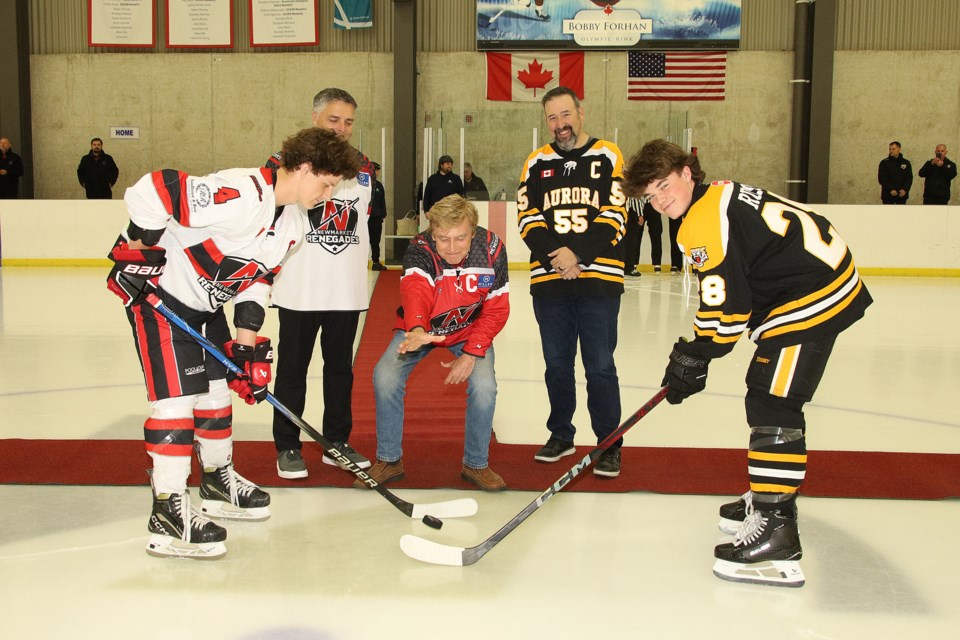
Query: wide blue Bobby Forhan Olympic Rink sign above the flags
{"points": [[608, 24]]}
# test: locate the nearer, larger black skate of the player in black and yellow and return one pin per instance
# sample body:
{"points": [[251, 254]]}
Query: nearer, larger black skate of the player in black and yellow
{"points": [[765, 550]]}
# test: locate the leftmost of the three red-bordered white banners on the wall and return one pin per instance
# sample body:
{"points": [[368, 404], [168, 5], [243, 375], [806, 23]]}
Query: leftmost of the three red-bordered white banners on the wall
{"points": [[121, 24]]}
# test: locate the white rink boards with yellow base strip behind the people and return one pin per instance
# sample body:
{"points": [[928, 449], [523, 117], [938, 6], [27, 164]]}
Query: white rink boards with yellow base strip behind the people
{"points": [[910, 240]]}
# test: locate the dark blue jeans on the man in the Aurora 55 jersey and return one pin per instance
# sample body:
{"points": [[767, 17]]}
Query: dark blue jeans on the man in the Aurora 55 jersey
{"points": [[593, 322]]}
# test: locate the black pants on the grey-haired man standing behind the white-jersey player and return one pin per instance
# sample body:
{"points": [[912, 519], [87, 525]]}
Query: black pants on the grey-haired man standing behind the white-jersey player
{"points": [[298, 334]]}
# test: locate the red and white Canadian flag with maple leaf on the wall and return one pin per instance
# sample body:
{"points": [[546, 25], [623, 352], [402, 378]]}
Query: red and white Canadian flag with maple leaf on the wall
{"points": [[527, 76]]}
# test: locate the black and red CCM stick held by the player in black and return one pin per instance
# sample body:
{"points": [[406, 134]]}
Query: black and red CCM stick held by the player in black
{"points": [[428, 551]]}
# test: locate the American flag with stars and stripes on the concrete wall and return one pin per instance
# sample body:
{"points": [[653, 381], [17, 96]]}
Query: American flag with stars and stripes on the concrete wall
{"points": [[682, 75]]}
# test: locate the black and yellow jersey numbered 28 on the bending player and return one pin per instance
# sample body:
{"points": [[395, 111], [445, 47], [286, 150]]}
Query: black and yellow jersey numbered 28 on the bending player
{"points": [[768, 266]]}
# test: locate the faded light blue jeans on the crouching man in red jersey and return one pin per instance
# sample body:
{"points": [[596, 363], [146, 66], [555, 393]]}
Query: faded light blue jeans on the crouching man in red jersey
{"points": [[390, 383]]}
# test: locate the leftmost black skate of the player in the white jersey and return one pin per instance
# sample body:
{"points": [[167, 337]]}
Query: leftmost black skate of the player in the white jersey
{"points": [[170, 537]]}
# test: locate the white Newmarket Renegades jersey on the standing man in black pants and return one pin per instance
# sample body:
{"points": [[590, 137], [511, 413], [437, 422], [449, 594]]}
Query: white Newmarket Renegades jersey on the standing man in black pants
{"points": [[328, 271]]}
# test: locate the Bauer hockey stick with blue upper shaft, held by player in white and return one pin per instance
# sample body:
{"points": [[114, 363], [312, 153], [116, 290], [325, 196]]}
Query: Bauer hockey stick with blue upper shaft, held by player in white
{"points": [[428, 512]]}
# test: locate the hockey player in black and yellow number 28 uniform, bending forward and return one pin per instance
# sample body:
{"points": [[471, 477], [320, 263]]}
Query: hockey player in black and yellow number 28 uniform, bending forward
{"points": [[779, 272]]}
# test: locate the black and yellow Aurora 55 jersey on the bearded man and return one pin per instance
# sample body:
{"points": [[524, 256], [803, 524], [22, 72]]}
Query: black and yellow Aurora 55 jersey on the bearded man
{"points": [[573, 199]]}
